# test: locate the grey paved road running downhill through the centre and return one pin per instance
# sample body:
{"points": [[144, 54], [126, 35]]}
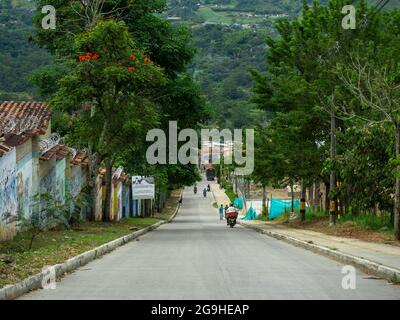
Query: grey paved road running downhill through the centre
{"points": [[199, 257]]}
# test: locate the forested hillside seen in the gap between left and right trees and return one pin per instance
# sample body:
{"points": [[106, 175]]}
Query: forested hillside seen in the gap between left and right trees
{"points": [[230, 37]]}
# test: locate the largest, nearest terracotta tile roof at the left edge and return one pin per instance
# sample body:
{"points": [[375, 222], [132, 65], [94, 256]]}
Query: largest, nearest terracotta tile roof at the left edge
{"points": [[20, 121]]}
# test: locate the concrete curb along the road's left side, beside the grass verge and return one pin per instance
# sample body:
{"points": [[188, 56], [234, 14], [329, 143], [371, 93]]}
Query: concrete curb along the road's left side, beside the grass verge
{"points": [[35, 282]]}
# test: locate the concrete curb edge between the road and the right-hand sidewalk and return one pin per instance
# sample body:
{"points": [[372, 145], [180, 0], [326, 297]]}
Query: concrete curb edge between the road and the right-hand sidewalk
{"points": [[368, 266]]}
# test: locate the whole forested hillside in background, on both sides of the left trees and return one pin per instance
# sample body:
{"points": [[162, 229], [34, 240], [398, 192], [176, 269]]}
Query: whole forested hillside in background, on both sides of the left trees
{"points": [[229, 36]]}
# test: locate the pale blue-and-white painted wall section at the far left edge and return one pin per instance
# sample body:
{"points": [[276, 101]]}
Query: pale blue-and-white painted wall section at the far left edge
{"points": [[8, 193]]}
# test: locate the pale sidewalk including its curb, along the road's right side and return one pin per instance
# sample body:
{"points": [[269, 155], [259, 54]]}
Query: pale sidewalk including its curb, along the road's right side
{"points": [[380, 259]]}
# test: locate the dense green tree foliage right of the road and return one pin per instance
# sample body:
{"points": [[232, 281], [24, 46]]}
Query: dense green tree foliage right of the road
{"points": [[315, 67]]}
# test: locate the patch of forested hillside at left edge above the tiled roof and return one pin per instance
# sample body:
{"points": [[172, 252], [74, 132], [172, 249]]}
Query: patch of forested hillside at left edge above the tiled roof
{"points": [[19, 57]]}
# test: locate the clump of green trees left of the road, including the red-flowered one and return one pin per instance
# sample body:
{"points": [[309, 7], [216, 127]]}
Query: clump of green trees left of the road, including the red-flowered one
{"points": [[137, 82]]}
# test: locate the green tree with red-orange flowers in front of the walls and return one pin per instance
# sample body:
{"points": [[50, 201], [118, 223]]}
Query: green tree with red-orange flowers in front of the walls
{"points": [[109, 91]]}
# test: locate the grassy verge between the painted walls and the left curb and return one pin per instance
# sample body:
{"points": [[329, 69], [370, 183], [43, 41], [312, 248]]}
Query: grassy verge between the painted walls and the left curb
{"points": [[53, 247]]}
